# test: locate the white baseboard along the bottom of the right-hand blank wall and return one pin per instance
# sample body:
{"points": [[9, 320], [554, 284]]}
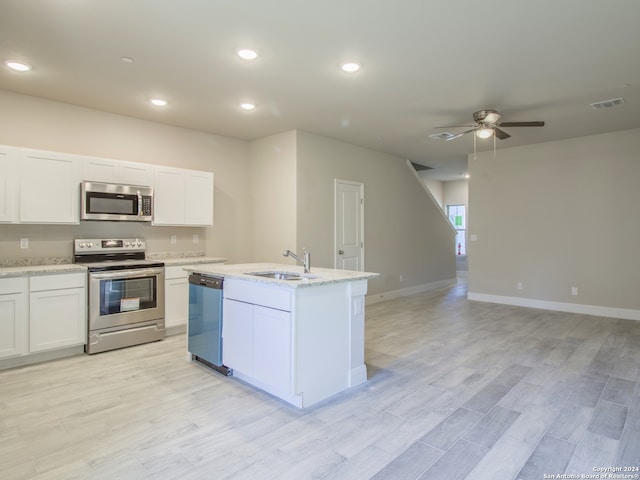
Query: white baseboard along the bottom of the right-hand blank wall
{"points": [[599, 311]]}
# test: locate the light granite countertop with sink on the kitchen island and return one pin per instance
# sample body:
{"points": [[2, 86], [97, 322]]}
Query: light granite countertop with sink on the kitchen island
{"points": [[317, 276]]}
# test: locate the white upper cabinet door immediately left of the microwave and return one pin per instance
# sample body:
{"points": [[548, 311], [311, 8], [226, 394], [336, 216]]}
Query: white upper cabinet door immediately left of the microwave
{"points": [[49, 187]]}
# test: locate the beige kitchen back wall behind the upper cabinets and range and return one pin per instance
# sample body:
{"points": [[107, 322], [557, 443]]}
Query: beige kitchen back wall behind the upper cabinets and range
{"points": [[36, 123]]}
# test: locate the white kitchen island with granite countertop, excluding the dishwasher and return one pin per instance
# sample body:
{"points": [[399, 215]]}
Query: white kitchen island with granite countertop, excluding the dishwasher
{"points": [[298, 336]]}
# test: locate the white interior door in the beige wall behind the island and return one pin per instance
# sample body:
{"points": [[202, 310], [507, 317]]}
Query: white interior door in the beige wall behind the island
{"points": [[349, 225]]}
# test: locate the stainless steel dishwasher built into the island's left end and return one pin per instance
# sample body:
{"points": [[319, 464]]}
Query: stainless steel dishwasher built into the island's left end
{"points": [[205, 321]]}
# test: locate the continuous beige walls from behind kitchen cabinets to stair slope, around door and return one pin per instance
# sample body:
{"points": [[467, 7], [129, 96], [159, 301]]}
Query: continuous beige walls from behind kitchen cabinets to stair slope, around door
{"points": [[270, 194]]}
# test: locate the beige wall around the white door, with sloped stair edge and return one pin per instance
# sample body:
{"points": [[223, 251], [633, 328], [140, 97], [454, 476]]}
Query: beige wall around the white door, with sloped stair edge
{"points": [[405, 234]]}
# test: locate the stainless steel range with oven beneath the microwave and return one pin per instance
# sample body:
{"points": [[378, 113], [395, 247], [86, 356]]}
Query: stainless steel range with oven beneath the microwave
{"points": [[125, 293]]}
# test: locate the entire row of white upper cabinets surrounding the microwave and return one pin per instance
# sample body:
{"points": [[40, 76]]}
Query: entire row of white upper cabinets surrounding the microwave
{"points": [[38, 186]]}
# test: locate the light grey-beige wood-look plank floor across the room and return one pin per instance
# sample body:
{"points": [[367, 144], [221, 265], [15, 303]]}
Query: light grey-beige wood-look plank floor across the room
{"points": [[456, 390]]}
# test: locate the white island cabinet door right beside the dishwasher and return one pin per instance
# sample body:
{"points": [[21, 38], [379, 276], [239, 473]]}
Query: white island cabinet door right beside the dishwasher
{"points": [[237, 336]]}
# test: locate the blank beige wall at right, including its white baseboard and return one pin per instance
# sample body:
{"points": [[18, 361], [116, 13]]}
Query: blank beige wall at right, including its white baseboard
{"points": [[554, 216]]}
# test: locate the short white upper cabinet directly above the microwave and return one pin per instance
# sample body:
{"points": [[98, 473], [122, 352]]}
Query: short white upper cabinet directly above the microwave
{"points": [[115, 171]]}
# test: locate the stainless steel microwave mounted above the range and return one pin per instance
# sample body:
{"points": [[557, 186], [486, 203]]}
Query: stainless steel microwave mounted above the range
{"points": [[116, 202]]}
